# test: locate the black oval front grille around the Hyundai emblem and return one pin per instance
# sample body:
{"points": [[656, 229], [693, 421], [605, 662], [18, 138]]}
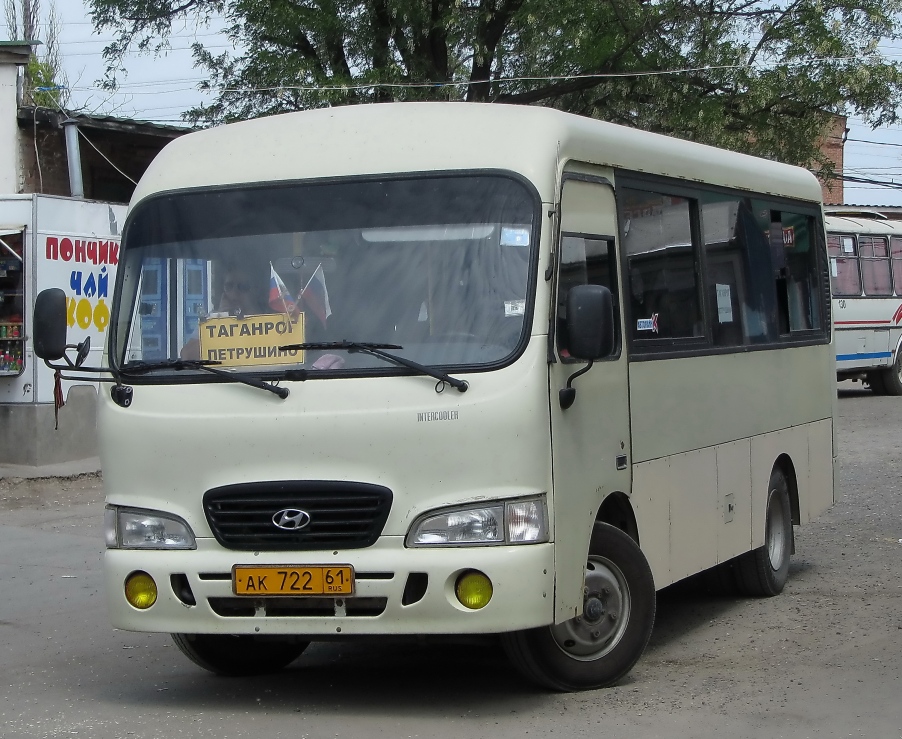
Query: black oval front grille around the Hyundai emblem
{"points": [[342, 515]]}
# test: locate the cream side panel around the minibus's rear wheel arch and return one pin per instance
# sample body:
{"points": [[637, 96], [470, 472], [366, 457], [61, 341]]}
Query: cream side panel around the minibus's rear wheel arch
{"points": [[766, 449]]}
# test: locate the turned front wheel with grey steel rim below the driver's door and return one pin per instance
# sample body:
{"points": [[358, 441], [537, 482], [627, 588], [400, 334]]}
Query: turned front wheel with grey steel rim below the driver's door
{"points": [[600, 647]]}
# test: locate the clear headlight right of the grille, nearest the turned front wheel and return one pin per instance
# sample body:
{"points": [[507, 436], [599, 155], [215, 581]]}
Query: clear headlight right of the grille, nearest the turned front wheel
{"points": [[522, 521]]}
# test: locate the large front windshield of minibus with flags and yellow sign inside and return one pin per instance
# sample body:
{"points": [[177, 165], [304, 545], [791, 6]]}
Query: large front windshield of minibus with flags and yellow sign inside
{"points": [[435, 268]]}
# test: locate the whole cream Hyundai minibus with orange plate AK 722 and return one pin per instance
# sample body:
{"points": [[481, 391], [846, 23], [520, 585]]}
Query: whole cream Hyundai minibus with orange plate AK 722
{"points": [[445, 368]]}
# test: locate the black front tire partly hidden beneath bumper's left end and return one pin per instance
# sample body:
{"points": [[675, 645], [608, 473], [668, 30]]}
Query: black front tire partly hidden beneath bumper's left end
{"points": [[237, 655]]}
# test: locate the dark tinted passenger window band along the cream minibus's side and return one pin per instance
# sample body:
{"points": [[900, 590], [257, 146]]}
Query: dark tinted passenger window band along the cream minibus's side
{"points": [[710, 268]]}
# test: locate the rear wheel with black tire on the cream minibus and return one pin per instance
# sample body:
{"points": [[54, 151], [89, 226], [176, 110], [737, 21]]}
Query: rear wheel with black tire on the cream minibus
{"points": [[763, 571]]}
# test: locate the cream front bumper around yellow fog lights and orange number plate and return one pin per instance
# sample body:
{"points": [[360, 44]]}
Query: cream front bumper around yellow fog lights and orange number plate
{"points": [[522, 577]]}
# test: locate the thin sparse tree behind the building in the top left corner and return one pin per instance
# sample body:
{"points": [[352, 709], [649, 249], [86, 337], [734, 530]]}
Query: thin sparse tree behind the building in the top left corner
{"points": [[45, 79]]}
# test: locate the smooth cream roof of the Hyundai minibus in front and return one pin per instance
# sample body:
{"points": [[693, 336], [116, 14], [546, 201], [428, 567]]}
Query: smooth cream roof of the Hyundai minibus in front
{"points": [[420, 137]]}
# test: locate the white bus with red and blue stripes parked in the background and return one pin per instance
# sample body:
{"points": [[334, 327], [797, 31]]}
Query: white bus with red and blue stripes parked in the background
{"points": [[866, 274]]}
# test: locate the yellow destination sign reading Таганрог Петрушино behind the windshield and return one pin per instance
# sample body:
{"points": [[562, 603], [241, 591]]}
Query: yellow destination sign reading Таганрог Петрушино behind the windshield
{"points": [[251, 340]]}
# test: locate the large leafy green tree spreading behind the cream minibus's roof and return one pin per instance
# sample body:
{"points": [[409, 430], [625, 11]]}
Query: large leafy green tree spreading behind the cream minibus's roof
{"points": [[762, 76]]}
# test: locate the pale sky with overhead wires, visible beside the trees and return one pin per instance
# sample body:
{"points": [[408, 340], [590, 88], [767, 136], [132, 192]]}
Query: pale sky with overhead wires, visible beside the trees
{"points": [[160, 89]]}
